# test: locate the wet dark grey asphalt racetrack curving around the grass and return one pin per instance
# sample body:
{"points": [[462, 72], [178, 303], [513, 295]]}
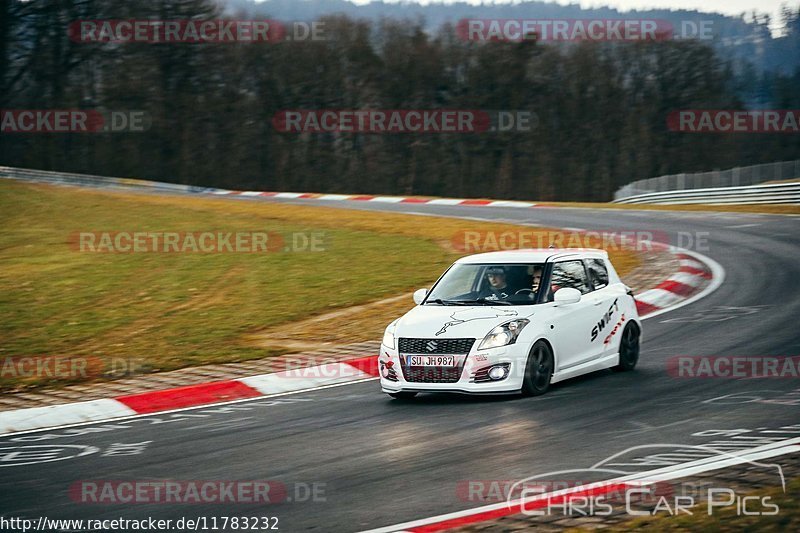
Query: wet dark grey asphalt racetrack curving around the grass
{"points": [[375, 462]]}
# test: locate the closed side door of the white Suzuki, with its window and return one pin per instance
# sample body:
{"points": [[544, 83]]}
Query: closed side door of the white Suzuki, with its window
{"points": [[571, 324]]}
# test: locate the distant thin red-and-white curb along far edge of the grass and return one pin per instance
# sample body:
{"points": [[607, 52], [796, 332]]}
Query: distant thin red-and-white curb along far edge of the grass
{"points": [[380, 199]]}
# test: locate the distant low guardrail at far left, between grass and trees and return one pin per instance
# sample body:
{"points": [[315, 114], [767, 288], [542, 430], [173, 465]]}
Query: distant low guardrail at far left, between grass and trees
{"points": [[86, 180]]}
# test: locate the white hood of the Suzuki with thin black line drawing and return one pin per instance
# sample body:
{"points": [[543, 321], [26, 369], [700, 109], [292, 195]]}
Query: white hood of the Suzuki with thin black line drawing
{"points": [[455, 321]]}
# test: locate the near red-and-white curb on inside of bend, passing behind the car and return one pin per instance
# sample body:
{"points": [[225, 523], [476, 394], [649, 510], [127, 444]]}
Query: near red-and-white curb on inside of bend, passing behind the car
{"points": [[698, 276]]}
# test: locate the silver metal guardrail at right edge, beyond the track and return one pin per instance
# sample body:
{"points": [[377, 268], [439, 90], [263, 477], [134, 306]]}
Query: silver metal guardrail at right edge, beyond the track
{"points": [[777, 193]]}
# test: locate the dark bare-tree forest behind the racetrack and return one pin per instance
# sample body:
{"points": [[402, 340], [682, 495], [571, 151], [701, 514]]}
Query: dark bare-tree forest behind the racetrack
{"points": [[601, 107]]}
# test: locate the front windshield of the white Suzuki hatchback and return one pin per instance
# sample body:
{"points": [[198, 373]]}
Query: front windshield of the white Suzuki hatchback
{"points": [[488, 284]]}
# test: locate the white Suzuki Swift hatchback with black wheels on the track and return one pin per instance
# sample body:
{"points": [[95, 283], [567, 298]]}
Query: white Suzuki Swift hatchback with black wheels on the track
{"points": [[512, 322]]}
